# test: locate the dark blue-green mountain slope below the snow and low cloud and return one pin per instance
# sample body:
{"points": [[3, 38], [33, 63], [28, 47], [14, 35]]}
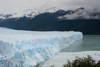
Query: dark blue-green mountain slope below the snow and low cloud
{"points": [[50, 22]]}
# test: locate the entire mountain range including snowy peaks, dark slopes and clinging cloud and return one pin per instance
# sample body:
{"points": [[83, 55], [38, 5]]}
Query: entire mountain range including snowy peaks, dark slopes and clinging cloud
{"points": [[54, 19]]}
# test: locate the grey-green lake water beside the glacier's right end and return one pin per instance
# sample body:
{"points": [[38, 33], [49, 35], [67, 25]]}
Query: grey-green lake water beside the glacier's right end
{"points": [[89, 43]]}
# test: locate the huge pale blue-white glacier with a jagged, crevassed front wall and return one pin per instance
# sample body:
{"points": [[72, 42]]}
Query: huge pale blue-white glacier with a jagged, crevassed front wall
{"points": [[27, 48]]}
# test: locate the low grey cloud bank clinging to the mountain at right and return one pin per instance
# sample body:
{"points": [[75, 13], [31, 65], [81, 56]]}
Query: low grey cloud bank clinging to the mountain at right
{"points": [[82, 14]]}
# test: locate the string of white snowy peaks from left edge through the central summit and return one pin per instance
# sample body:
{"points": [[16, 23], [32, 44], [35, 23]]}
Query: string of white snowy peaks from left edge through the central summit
{"points": [[29, 13]]}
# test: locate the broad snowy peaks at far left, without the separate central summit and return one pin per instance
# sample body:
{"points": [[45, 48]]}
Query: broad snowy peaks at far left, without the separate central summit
{"points": [[27, 13]]}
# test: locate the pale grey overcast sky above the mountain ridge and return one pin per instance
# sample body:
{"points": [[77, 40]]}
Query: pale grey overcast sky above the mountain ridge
{"points": [[13, 6]]}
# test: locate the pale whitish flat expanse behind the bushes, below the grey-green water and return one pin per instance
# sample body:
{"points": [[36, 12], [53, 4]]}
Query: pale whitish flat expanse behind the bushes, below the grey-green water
{"points": [[60, 59]]}
